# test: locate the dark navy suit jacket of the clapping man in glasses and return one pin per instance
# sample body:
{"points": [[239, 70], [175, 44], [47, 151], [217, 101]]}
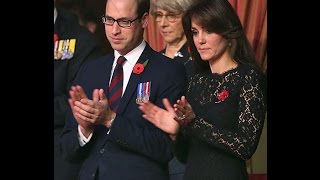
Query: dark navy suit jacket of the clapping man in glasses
{"points": [[134, 149]]}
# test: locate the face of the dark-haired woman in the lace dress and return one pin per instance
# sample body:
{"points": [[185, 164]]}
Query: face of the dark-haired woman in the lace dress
{"points": [[210, 46]]}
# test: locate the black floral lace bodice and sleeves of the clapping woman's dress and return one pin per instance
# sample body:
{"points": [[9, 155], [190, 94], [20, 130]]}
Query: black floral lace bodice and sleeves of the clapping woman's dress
{"points": [[234, 125]]}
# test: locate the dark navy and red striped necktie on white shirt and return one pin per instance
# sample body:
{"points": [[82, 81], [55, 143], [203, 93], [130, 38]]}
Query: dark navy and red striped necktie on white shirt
{"points": [[115, 88]]}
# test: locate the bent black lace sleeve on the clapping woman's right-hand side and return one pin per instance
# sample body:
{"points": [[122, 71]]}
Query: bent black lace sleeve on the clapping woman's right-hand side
{"points": [[252, 108]]}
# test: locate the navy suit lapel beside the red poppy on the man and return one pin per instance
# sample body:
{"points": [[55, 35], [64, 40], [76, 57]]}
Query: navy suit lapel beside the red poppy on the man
{"points": [[134, 80]]}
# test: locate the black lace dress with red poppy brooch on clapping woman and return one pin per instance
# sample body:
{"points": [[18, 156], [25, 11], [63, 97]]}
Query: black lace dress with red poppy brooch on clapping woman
{"points": [[230, 111]]}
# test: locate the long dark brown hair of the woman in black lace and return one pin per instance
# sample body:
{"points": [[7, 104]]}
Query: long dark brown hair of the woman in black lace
{"points": [[218, 16]]}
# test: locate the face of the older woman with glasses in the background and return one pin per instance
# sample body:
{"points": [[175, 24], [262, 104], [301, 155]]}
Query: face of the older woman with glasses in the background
{"points": [[170, 26]]}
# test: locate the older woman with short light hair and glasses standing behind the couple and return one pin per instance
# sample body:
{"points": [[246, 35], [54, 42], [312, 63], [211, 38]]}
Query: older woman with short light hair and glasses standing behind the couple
{"points": [[168, 16]]}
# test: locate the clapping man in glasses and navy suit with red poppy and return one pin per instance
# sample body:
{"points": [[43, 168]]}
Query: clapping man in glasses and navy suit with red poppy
{"points": [[121, 144]]}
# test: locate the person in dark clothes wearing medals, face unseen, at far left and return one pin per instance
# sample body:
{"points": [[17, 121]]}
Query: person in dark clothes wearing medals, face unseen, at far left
{"points": [[73, 46]]}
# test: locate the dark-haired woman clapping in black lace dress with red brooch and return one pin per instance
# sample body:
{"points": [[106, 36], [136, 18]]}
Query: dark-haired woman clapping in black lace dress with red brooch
{"points": [[216, 127]]}
